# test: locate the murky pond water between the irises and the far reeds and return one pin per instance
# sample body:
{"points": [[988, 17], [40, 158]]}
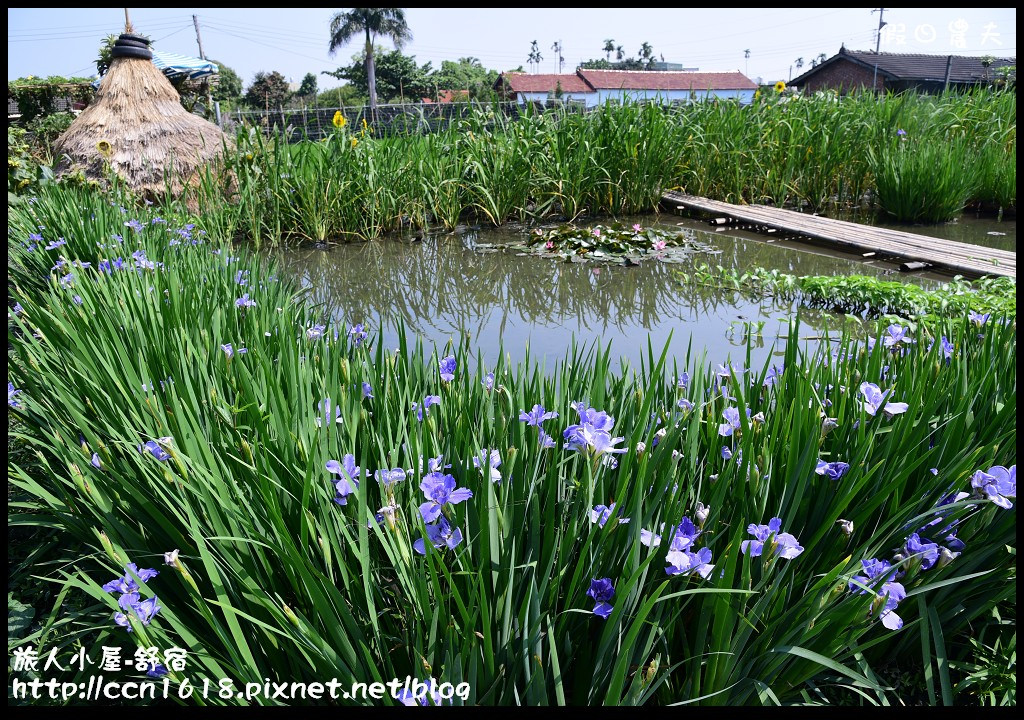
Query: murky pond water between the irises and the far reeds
{"points": [[443, 288]]}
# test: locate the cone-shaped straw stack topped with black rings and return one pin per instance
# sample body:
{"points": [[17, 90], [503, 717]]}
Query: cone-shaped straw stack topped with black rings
{"points": [[137, 125]]}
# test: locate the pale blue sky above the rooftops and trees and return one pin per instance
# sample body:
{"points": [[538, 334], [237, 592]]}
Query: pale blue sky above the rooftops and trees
{"points": [[294, 41]]}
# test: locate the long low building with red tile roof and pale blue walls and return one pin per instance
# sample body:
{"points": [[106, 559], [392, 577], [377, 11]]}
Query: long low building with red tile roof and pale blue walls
{"points": [[598, 87]]}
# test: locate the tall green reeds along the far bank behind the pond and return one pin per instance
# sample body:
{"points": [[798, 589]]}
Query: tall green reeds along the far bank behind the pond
{"points": [[917, 158]]}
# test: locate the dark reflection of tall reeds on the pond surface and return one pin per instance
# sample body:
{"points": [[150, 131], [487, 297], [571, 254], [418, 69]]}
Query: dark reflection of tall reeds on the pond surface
{"points": [[441, 283]]}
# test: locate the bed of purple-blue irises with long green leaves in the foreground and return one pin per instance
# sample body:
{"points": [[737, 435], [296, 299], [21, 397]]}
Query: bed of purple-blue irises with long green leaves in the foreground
{"points": [[190, 409]]}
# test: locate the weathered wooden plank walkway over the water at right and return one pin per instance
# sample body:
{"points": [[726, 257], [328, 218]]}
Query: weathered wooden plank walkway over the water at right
{"points": [[962, 259]]}
